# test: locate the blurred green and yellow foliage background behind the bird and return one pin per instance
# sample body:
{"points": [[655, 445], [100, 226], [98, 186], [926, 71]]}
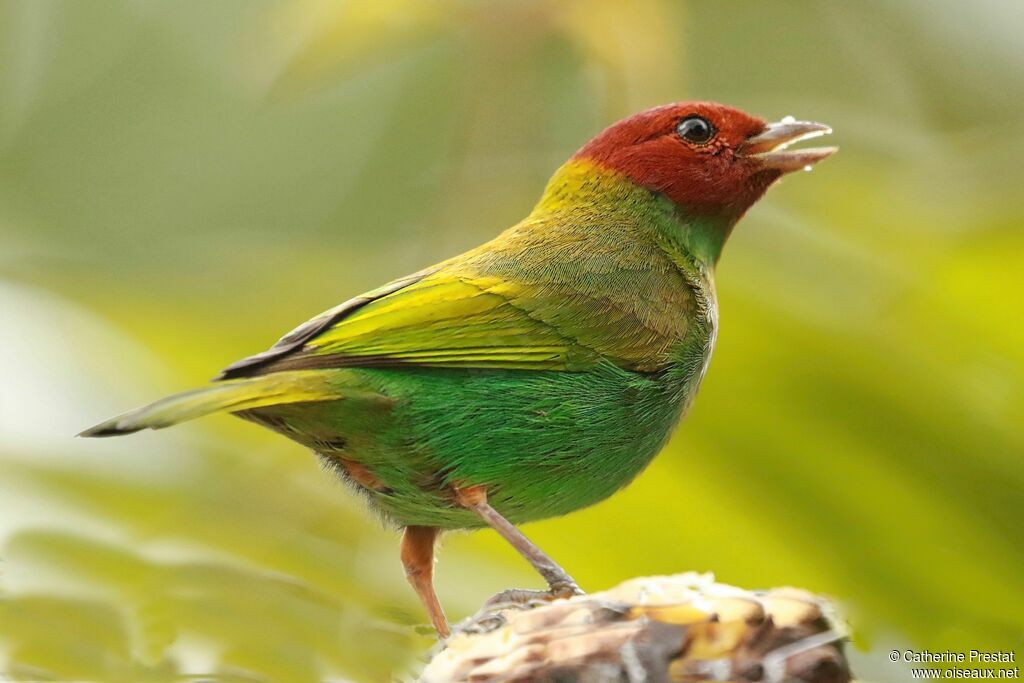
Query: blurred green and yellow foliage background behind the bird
{"points": [[182, 183]]}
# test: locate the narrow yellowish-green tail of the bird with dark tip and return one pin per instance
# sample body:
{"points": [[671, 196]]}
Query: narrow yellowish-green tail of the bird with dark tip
{"points": [[231, 396]]}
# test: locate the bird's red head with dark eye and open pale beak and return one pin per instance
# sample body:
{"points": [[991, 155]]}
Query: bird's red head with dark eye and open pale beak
{"points": [[709, 159]]}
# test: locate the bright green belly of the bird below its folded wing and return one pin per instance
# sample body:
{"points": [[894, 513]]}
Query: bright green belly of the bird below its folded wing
{"points": [[544, 444]]}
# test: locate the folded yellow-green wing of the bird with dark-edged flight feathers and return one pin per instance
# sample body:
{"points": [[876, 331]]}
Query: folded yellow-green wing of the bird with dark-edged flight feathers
{"points": [[440, 321]]}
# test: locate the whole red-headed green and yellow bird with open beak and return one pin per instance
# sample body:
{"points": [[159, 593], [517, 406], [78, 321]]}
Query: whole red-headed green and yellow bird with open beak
{"points": [[537, 374]]}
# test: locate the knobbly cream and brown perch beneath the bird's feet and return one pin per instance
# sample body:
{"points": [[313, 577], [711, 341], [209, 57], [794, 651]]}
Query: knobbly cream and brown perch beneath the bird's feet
{"points": [[655, 629]]}
